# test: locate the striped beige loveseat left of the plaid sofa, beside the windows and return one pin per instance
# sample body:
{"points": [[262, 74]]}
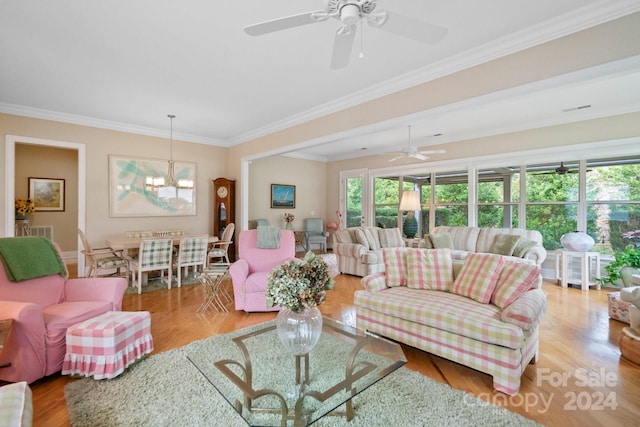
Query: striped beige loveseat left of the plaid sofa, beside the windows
{"points": [[359, 249]]}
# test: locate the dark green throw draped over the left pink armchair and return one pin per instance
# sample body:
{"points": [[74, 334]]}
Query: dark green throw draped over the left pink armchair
{"points": [[26, 258]]}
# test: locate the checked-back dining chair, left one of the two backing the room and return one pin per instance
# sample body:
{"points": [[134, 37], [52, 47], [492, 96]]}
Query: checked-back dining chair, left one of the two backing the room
{"points": [[153, 255]]}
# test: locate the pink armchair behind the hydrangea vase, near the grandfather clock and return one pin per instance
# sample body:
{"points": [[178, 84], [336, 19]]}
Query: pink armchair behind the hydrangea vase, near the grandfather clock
{"points": [[249, 273]]}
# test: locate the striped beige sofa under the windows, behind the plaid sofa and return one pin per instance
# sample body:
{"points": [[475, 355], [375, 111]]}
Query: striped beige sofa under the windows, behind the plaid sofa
{"points": [[467, 240]]}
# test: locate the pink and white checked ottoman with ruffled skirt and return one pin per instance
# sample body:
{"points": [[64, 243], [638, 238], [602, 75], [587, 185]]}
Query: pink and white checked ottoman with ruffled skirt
{"points": [[104, 346]]}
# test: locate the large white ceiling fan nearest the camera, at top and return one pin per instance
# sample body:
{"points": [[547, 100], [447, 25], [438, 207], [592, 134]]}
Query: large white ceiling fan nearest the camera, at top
{"points": [[349, 12]]}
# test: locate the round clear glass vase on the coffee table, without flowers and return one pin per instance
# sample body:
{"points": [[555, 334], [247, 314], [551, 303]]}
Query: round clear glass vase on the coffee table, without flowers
{"points": [[299, 332]]}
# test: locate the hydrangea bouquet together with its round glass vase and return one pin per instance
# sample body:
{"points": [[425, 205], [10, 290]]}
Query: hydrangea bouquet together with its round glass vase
{"points": [[298, 287]]}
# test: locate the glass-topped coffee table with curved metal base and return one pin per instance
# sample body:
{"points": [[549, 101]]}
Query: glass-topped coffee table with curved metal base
{"points": [[268, 386]]}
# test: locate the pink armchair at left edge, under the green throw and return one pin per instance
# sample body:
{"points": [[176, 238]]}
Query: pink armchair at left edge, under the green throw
{"points": [[43, 308]]}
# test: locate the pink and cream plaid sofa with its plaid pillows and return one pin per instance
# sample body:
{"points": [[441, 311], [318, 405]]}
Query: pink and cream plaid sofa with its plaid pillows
{"points": [[482, 312]]}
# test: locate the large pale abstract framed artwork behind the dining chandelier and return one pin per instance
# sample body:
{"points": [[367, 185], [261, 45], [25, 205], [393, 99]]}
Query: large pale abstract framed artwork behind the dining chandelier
{"points": [[138, 187]]}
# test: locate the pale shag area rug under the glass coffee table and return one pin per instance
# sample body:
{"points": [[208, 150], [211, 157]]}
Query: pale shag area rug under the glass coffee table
{"points": [[168, 390]]}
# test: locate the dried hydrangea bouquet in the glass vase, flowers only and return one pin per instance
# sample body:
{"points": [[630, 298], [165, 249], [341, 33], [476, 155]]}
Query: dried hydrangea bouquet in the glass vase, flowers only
{"points": [[299, 284]]}
